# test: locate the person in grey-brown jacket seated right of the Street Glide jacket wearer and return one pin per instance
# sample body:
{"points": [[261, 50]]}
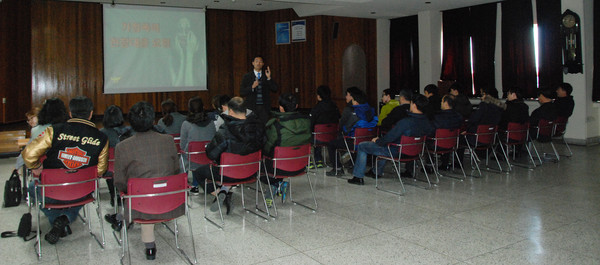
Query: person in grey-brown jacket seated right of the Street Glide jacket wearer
{"points": [[147, 154]]}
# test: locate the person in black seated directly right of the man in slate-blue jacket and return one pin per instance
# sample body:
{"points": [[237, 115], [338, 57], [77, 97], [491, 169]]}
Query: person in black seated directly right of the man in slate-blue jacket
{"points": [[447, 118]]}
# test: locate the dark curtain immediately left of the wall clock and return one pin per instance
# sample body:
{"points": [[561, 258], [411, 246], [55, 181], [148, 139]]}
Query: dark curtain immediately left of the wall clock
{"points": [[550, 45]]}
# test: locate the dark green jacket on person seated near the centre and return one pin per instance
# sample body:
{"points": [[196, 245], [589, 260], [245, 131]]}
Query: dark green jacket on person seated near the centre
{"points": [[286, 129]]}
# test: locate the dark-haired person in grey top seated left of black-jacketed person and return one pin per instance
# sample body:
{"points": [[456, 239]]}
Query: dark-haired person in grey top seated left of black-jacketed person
{"points": [[196, 127]]}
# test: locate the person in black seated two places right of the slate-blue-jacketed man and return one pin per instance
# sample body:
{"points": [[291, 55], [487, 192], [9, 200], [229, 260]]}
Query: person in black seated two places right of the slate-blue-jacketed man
{"points": [[489, 111]]}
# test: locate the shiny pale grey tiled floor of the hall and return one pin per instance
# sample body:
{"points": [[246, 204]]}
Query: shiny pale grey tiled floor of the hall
{"points": [[550, 215]]}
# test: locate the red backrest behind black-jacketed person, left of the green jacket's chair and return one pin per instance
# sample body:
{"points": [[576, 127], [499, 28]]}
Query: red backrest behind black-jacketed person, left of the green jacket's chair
{"points": [[240, 166]]}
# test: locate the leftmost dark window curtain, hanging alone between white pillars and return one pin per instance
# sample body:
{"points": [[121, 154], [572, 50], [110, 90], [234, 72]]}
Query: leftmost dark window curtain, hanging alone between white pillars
{"points": [[404, 53]]}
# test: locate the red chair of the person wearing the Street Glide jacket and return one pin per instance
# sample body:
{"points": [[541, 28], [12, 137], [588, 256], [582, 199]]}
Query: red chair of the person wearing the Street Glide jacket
{"points": [[69, 185]]}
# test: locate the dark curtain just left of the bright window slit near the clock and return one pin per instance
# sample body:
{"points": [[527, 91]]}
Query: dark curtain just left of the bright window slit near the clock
{"points": [[518, 59]]}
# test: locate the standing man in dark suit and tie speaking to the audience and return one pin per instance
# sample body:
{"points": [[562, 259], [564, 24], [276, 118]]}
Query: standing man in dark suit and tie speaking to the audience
{"points": [[256, 88]]}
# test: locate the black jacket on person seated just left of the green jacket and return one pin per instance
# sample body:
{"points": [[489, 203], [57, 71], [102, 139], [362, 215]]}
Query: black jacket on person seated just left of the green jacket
{"points": [[237, 136]]}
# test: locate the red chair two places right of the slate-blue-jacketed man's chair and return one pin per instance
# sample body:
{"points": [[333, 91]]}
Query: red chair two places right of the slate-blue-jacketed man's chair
{"points": [[484, 139]]}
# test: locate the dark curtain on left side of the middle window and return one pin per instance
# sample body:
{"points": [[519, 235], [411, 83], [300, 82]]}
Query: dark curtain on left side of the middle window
{"points": [[456, 64]]}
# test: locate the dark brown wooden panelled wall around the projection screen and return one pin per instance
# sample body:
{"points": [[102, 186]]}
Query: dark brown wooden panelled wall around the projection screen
{"points": [[67, 54]]}
